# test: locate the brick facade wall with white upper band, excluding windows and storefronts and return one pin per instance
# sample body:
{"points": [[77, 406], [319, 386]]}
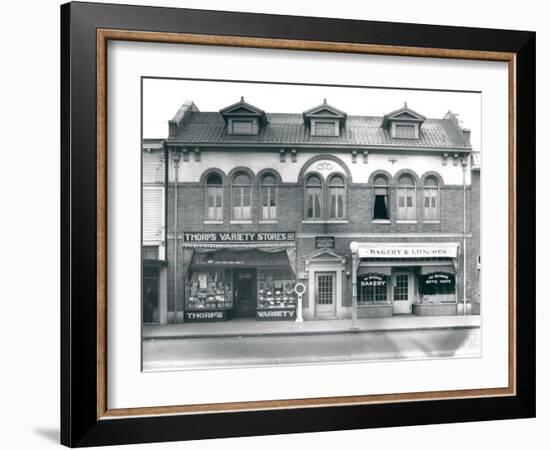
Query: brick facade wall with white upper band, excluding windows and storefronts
{"points": [[359, 198]]}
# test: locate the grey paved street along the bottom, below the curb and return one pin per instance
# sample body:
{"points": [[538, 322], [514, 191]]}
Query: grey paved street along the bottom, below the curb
{"points": [[176, 354]]}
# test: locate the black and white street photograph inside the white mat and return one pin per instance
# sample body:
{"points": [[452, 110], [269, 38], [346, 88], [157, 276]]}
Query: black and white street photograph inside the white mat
{"points": [[299, 224]]}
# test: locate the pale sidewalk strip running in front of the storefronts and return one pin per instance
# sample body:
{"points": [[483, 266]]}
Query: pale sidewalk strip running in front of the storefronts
{"points": [[251, 327]]}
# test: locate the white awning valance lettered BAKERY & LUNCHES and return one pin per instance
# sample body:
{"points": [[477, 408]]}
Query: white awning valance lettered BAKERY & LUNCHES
{"points": [[405, 250]]}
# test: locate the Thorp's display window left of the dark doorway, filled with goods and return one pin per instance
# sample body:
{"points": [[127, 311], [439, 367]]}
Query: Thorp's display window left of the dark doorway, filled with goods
{"points": [[209, 289]]}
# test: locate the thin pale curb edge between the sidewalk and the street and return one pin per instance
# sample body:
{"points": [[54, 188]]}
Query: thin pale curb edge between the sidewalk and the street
{"points": [[305, 333]]}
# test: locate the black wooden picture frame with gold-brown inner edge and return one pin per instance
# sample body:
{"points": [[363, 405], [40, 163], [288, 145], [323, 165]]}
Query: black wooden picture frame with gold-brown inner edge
{"points": [[86, 419]]}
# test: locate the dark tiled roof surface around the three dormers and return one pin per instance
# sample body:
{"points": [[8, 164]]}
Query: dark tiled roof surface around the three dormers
{"points": [[282, 128]]}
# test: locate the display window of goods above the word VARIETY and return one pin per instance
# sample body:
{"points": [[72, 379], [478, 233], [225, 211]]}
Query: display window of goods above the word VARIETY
{"points": [[276, 289]]}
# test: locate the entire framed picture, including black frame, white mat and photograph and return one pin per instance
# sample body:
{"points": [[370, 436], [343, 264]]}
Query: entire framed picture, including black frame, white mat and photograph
{"points": [[277, 224]]}
